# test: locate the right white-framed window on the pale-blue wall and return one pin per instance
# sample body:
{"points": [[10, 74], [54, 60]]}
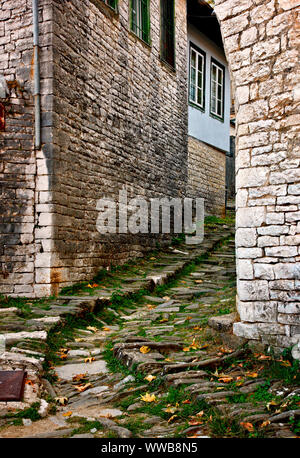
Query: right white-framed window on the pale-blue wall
{"points": [[217, 78]]}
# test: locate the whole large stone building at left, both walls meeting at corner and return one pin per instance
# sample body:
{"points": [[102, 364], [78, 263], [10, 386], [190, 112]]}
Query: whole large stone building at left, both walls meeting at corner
{"points": [[114, 114]]}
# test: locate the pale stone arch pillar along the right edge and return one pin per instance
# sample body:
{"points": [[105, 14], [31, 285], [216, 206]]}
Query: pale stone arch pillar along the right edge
{"points": [[261, 38]]}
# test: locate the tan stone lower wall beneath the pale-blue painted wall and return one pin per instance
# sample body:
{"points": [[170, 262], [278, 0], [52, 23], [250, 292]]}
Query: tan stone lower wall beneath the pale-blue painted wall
{"points": [[206, 175]]}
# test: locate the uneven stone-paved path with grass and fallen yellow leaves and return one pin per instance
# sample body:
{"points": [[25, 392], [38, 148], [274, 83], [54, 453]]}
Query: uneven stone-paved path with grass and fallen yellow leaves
{"points": [[140, 354]]}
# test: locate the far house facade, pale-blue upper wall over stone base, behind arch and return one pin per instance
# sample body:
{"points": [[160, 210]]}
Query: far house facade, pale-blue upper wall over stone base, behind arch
{"points": [[208, 135]]}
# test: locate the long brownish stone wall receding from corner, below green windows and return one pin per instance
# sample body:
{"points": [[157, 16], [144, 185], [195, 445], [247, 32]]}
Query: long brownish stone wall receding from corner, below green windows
{"points": [[120, 119]]}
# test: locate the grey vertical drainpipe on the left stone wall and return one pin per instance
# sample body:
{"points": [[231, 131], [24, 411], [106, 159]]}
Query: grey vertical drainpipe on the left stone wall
{"points": [[36, 89]]}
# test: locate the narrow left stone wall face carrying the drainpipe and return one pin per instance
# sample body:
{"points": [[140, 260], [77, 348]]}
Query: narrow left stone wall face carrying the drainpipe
{"points": [[20, 165]]}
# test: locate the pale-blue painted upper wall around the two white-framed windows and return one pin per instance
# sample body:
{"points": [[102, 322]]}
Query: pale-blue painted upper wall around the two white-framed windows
{"points": [[201, 125]]}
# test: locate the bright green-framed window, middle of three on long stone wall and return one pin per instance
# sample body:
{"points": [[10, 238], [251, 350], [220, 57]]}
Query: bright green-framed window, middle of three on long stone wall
{"points": [[140, 19]]}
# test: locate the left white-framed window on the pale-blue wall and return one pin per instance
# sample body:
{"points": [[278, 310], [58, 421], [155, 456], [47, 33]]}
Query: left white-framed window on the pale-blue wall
{"points": [[197, 77]]}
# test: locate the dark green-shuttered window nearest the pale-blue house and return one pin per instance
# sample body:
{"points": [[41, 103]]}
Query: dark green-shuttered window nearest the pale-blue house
{"points": [[167, 21]]}
